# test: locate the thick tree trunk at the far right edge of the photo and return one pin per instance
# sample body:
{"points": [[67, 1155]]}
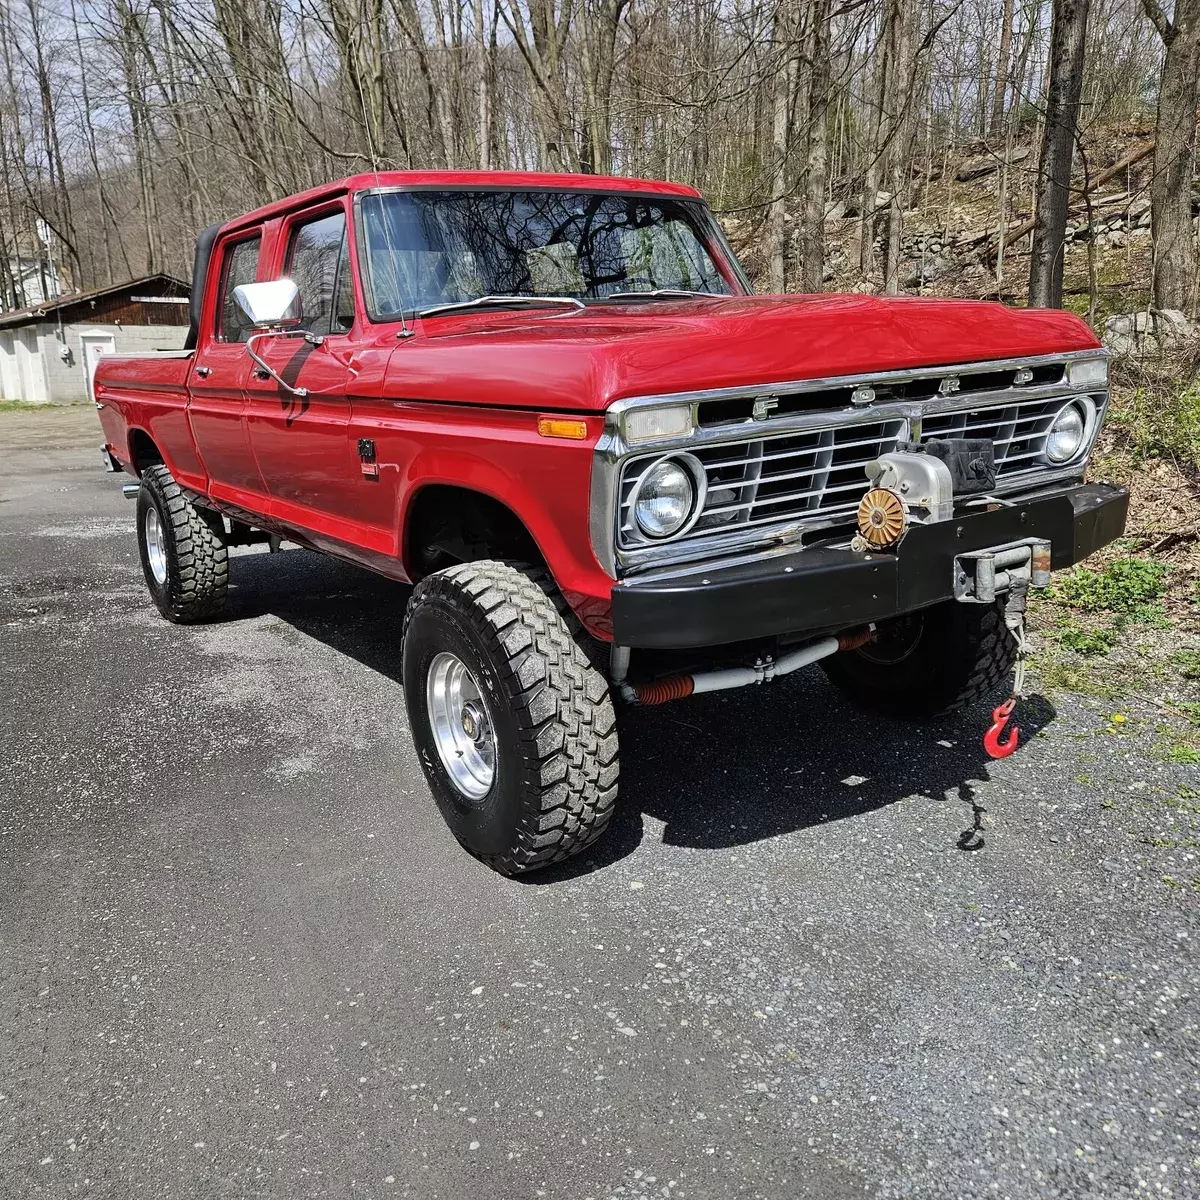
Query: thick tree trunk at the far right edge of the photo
{"points": [[1175, 145]]}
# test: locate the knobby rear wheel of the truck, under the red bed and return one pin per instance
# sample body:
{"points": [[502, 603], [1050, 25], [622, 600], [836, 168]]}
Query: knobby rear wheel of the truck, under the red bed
{"points": [[184, 554]]}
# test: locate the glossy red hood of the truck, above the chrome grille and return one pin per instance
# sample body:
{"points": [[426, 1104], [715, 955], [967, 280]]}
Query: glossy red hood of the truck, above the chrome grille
{"points": [[585, 361]]}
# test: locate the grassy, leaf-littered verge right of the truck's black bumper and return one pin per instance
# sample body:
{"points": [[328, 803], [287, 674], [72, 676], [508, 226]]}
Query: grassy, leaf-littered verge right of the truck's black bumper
{"points": [[1121, 634]]}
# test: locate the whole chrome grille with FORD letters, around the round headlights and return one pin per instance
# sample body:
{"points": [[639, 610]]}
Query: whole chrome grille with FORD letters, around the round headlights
{"points": [[787, 459]]}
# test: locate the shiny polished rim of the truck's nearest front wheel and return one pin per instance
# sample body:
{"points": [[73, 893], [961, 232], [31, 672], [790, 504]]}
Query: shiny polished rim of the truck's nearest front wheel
{"points": [[461, 727]]}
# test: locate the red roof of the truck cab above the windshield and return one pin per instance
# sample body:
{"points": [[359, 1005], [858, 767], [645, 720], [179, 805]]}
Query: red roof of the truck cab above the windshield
{"points": [[482, 181]]}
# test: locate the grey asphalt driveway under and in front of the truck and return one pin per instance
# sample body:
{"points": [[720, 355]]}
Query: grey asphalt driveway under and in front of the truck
{"points": [[241, 955]]}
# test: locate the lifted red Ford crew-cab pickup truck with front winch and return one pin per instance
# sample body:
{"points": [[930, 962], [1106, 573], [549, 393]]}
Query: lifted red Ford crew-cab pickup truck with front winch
{"points": [[553, 404]]}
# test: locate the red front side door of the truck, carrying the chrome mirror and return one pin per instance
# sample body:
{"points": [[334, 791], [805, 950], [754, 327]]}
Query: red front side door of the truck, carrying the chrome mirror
{"points": [[303, 446]]}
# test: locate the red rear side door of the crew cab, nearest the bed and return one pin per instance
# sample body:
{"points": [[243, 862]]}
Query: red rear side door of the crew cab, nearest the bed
{"points": [[218, 403]]}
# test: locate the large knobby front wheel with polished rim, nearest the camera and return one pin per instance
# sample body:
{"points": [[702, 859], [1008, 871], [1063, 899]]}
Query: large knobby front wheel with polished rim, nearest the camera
{"points": [[513, 724]]}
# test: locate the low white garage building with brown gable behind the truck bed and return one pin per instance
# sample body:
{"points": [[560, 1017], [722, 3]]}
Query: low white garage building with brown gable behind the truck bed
{"points": [[49, 352]]}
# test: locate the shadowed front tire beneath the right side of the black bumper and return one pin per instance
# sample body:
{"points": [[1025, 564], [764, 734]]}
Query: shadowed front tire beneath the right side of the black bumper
{"points": [[929, 663]]}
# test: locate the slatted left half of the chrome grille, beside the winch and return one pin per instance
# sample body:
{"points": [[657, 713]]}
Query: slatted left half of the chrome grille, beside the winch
{"points": [[809, 473]]}
